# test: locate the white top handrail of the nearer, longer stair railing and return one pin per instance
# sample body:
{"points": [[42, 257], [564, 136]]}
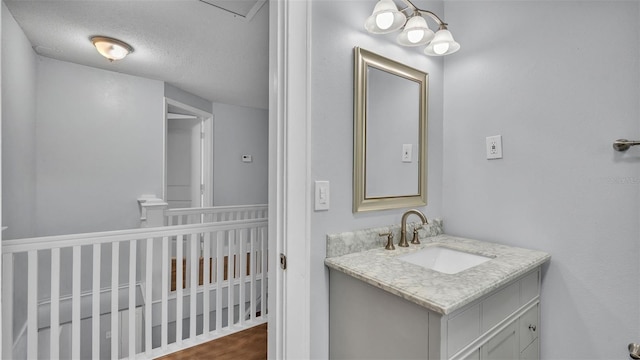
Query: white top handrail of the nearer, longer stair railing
{"points": [[59, 241]]}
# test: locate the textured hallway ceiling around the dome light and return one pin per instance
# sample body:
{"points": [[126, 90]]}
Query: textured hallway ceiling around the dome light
{"points": [[200, 48]]}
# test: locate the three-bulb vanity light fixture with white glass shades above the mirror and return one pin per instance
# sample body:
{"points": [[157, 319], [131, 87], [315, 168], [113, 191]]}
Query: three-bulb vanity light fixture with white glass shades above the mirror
{"points": [[386, 18]]}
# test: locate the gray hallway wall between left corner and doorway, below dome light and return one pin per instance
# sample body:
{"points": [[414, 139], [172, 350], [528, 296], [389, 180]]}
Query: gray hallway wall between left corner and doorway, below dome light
{"points": [[99, 136]]}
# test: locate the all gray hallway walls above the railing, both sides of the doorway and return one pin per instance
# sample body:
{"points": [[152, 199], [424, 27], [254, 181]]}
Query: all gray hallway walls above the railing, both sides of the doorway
{"points": [[93, 141]]}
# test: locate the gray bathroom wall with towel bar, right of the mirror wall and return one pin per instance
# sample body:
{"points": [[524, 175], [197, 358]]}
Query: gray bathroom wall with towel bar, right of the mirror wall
{"points": [[559, 80]]}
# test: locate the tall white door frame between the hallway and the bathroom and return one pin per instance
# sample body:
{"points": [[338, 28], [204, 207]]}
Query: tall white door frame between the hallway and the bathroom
{"points": [[289, 179]]}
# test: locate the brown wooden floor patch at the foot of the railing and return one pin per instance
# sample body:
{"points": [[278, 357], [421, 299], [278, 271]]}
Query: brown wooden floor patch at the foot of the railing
{"points": [[250, 344]]}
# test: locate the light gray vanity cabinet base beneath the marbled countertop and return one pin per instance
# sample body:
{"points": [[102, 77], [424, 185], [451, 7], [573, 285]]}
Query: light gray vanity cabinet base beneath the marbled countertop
{"points": [[370, 323]]}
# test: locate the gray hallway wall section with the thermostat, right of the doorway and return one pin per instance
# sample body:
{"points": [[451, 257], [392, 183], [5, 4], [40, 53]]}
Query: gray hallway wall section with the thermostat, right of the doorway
{"points": [[238, 131]]}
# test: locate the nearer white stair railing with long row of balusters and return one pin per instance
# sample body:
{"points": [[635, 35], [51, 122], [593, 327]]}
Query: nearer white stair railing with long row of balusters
{"points": [[101, 284]]}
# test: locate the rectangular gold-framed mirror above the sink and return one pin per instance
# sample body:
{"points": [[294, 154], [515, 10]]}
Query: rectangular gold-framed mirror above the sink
{"points": [[390, 134]]}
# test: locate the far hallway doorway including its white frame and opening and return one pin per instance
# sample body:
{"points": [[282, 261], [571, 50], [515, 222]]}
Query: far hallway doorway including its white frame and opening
{"points": [[188, 180]]}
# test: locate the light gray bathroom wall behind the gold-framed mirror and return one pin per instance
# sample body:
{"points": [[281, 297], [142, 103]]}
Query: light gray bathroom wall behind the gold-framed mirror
{"points": [[338, 26]]}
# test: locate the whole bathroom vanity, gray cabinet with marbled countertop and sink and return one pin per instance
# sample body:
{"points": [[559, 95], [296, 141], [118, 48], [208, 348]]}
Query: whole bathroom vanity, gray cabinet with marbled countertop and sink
{"points": [[382, 306]]}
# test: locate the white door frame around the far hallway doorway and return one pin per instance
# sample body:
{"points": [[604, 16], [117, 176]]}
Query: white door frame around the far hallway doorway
{"points": [[206, 174]]}
